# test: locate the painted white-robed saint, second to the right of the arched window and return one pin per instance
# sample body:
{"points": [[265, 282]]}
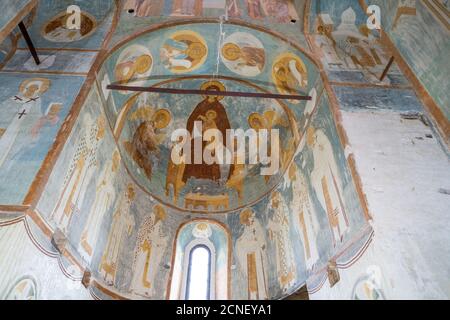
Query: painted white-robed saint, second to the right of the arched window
{"points": [[279, 230]]}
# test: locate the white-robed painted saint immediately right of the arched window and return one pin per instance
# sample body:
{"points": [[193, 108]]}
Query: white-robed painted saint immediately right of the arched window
{"points": [[251, 255]]}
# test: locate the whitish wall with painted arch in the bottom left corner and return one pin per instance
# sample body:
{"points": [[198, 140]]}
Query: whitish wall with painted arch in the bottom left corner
{"points": [[36, 273]]}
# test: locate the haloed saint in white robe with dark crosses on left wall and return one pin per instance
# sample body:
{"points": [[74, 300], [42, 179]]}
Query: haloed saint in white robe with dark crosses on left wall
{"points": [[22, 112]]}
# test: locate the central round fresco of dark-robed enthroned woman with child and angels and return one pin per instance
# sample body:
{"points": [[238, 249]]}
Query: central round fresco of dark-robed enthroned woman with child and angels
{"points": [[146, 143]]}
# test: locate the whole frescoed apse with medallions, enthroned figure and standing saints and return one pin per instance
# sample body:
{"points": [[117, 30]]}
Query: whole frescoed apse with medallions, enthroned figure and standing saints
{"points": [[143, 210]]}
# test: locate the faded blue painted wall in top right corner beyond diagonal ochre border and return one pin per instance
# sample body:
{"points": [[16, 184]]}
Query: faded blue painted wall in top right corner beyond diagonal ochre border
{"points": [[420, 31]]}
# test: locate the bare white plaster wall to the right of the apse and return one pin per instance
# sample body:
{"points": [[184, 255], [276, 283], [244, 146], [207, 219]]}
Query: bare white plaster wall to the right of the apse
{"points": [[401, 177]]}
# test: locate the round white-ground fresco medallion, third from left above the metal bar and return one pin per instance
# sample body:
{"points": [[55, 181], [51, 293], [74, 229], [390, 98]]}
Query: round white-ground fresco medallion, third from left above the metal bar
{"points": [[243, 54]]}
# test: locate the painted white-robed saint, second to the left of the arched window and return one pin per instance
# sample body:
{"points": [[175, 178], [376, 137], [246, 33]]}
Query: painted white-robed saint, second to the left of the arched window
{"points": [[122, 225]]}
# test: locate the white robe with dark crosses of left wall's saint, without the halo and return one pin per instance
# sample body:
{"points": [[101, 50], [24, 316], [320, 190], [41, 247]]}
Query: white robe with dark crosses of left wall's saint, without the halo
{"points": [[25, 113]]}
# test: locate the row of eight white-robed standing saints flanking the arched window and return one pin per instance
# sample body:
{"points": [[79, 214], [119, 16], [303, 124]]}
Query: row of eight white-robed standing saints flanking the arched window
{"points": [[152, 240]]}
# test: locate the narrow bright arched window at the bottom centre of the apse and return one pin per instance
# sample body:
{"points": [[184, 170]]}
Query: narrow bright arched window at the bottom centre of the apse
{"points": [[198, 286]]}
